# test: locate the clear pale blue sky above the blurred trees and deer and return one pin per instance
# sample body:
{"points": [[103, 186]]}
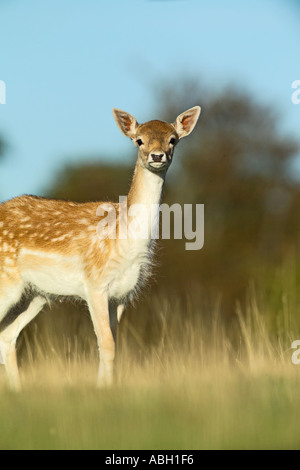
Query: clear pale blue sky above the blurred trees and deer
{"points": [[67, 63]]}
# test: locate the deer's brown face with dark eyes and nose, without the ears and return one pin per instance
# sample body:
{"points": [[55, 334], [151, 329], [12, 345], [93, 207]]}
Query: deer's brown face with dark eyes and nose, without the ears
{"points": [[156, 141]]}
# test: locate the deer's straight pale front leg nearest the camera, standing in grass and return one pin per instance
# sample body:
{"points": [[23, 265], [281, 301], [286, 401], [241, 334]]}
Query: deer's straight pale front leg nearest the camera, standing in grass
{"points": [[99, 310]]}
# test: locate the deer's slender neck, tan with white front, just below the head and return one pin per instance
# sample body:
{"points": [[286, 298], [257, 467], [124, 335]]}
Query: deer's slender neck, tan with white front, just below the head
{"points": [[146, 193]]}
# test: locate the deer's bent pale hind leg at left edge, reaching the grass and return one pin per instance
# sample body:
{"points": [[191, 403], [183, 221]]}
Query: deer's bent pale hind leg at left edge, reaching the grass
{"points": [[9, 336]]}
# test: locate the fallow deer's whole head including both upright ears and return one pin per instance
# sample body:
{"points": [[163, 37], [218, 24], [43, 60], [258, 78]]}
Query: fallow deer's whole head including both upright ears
{"points": [[156, 140]]}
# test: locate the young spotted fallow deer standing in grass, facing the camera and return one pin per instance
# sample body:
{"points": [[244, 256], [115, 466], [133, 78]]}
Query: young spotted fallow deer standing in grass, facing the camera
{"points": [[52, 249]]}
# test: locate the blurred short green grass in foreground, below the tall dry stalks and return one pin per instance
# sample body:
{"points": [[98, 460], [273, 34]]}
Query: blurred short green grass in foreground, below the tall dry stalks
{"points": [[235, 412]]}
